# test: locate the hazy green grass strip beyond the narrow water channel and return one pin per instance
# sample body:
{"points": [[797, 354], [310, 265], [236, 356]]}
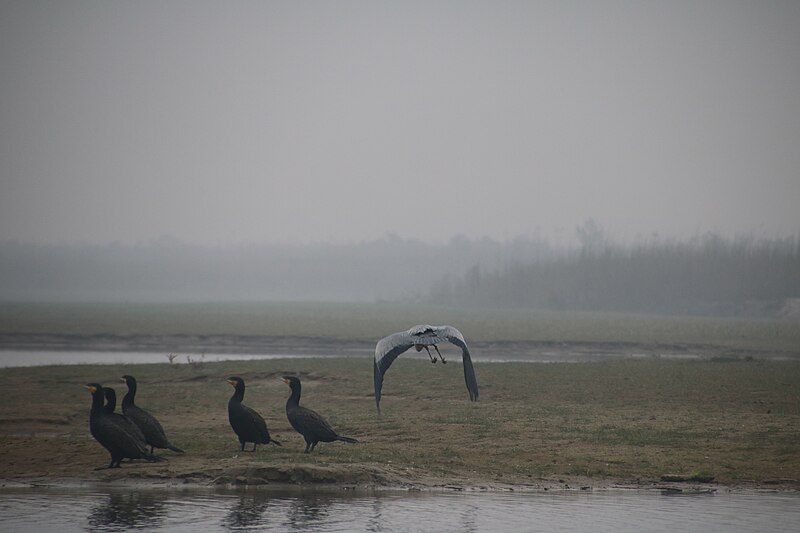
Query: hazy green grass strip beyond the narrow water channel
{"points": [[369, 322]]}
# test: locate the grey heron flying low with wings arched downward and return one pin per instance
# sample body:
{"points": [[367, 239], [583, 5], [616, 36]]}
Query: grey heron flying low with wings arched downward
{"points": [[422, 336]]}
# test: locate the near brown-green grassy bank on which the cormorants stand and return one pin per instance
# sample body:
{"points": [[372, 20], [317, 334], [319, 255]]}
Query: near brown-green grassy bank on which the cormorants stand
{"points": [[538, 425]]}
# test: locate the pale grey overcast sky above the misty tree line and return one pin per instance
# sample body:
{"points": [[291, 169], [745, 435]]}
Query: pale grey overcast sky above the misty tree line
{"points": [[237, 122]]}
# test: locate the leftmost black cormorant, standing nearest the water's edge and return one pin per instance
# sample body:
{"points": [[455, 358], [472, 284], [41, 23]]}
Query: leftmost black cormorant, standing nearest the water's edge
{"points": [[106, 430]]}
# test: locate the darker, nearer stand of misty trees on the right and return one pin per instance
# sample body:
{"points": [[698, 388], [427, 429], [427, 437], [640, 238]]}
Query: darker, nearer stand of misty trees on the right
{"points": [[707, 275]]}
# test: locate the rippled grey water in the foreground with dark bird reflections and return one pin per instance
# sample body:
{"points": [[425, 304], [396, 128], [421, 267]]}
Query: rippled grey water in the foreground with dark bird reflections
{"points": [[67, 509]]}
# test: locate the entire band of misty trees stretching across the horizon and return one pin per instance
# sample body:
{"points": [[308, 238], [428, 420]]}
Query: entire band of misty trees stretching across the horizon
{"points": [[707, 275]]}
